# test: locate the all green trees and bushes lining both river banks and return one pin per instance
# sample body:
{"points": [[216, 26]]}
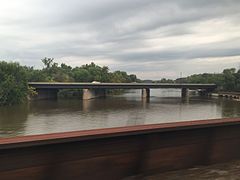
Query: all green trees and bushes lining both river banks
{"points": [[14, 78]]}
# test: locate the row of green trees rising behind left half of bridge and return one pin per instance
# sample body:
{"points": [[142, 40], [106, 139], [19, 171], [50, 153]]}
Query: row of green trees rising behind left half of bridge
{"points": [[85, 73]]}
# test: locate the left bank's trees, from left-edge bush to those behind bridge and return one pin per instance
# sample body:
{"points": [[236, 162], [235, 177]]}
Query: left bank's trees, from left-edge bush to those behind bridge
{"points": [[14, 77]]}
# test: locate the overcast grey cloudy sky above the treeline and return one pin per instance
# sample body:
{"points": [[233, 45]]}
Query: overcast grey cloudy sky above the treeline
{"points": [[153, 39]]}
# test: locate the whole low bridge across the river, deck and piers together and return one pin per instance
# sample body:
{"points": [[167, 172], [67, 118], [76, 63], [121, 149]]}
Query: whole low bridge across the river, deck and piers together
{"points": [[47, 90]]}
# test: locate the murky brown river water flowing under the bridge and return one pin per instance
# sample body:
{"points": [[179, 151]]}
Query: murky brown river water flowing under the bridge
{"points": [[165, 105]]}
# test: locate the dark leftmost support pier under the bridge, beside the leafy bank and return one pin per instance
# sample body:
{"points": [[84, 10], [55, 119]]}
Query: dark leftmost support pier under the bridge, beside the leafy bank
{"points": [[45, 94]]}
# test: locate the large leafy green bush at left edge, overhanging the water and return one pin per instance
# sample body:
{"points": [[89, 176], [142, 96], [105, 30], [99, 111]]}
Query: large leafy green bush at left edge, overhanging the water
{"points": [[13, 83]]}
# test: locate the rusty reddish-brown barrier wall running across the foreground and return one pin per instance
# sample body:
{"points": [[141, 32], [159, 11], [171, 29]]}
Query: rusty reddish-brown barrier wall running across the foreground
{"points": [[118, 153]]}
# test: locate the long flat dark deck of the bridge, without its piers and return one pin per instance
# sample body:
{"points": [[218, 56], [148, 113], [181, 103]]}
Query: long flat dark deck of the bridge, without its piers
{"points": [[58, 85]]}
